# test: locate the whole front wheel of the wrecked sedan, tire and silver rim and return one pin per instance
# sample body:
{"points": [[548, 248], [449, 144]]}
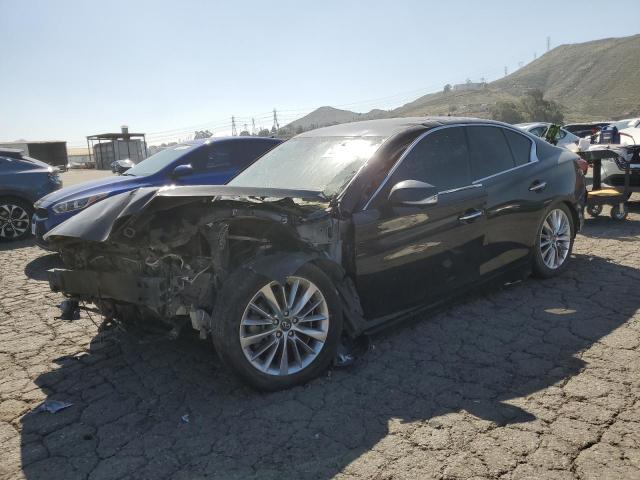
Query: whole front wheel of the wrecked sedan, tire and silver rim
{"points": [[277, 335]]}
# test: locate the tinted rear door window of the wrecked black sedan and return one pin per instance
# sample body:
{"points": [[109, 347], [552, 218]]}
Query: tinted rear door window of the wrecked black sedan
{"points": [[489, 151]]}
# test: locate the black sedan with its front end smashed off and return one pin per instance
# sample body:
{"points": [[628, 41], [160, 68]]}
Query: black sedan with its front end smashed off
{"points": [[331, 235]]}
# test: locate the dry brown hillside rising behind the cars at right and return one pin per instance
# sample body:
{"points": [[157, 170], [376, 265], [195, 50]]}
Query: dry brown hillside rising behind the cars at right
{"points": [[595, 80]]}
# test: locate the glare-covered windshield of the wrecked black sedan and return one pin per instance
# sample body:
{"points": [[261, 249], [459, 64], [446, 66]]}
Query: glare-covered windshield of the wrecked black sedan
{"points": [[324, 164]]}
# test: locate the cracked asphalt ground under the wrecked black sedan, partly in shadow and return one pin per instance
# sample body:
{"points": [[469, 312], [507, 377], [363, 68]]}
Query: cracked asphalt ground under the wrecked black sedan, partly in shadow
{"points": [[537, 381]]}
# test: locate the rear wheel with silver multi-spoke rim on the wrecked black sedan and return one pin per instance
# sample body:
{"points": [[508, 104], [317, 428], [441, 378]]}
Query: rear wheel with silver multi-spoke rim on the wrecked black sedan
{"points": [[554, 242]]}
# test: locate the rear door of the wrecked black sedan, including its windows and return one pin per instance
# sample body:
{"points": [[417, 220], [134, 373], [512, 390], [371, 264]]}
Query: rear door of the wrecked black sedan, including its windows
{"points": [[504, 162]]}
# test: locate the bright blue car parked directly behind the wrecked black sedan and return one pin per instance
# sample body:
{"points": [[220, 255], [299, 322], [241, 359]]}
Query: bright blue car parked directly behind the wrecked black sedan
{"points": [[212, 161]]}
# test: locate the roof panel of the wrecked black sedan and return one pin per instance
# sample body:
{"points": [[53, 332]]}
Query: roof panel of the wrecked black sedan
{"points": [[390, 126]]}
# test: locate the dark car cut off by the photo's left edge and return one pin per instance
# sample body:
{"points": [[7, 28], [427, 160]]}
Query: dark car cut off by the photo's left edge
{"points": [[23, 180]]}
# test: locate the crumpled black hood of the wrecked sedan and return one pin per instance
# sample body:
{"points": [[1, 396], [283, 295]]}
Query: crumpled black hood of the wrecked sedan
{"points": [[97, 222]]}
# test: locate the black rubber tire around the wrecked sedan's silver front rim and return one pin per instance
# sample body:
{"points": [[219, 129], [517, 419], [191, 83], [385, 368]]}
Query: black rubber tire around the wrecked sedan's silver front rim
{"points": [[234, 298]]}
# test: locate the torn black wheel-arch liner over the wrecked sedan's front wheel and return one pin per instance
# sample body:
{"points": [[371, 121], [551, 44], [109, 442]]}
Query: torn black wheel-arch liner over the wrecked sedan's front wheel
{"points": [[280, 265]]}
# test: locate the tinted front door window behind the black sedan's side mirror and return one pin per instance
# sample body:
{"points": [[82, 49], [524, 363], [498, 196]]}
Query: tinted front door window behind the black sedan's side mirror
{"points": [[441, 159]]}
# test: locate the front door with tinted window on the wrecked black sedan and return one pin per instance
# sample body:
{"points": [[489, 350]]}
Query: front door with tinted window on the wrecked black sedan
{"points": [[408, 255]]}
